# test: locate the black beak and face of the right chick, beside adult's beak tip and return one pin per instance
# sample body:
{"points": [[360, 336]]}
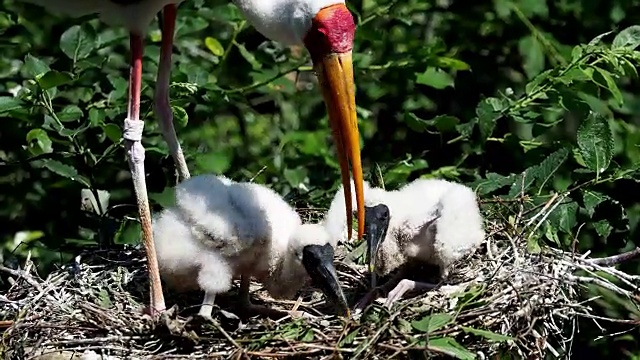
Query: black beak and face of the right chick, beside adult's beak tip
{"points": [[376, 220]]}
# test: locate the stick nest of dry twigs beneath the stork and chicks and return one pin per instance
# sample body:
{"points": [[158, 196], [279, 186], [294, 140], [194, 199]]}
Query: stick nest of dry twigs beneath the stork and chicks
{"points": [[501, 299]]}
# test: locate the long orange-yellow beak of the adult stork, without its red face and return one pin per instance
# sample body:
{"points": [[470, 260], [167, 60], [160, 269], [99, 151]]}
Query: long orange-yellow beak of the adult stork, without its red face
{"points": [[335, 73]]}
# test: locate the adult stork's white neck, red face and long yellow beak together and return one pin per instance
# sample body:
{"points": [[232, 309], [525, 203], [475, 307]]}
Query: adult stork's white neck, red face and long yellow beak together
{"points": [[326, 28]]}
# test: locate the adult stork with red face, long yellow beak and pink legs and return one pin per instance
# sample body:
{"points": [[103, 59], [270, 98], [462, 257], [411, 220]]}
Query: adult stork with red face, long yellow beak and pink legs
{"points": [[325, 27]]}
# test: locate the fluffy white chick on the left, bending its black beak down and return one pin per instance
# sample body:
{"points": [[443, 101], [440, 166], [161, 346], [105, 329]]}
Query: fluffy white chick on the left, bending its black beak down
{"points": [[220, 230]]}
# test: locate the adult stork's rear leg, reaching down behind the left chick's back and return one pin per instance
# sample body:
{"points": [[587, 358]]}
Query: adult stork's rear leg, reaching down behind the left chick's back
{"points": [[163, 110]]}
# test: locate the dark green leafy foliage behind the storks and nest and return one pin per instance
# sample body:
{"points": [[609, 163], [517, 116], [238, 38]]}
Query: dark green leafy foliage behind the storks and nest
{"points": [[514, 97]]}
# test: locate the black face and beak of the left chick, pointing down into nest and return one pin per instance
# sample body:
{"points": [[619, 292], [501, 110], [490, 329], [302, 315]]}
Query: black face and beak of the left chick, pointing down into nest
{"points": [[318, 261]]}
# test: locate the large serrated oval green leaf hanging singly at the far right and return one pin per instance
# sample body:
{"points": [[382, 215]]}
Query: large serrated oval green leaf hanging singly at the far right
{"points": [[595, 142]]}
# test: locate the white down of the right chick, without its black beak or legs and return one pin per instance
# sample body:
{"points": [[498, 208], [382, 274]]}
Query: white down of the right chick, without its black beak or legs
{"points": [[430, 220]]}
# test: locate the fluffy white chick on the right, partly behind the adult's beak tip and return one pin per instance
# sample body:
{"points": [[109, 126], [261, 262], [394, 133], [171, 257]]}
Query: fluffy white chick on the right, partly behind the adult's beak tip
{"points": [[428, 220]]}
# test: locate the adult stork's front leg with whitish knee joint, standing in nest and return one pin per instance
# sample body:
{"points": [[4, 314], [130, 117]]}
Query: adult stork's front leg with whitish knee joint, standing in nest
{"points": [[132, 135]]}
